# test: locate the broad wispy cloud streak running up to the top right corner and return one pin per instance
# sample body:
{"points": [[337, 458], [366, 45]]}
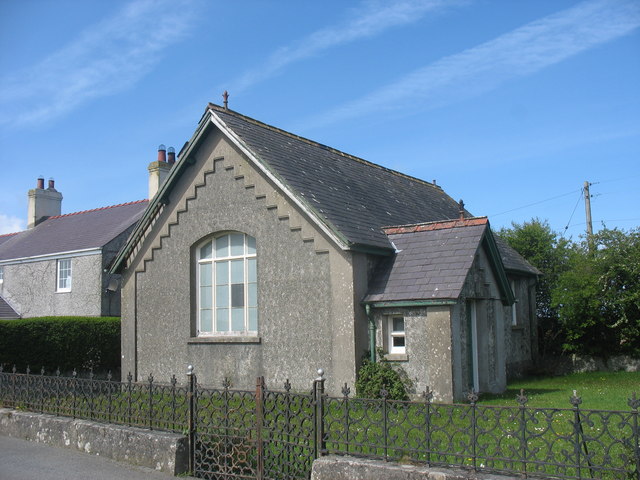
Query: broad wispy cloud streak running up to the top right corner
{"points": [[521, 52]]}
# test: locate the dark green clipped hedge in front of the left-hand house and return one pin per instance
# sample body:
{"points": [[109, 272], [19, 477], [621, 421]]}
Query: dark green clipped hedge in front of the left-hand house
{"points": [[61, 342]]}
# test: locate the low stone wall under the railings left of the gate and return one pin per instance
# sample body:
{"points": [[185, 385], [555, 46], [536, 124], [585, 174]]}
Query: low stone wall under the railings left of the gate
{"points": [[163, 451]]}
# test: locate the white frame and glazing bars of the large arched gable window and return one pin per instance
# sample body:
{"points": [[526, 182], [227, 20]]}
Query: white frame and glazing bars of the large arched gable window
{"points": [[211, 322]]}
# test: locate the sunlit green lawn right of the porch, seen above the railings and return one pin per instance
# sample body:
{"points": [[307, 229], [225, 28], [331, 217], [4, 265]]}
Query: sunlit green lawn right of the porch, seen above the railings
{"points": [[598, 390]]}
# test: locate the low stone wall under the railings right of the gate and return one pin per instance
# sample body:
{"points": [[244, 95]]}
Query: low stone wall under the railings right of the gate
{"points": [[335, 467]]}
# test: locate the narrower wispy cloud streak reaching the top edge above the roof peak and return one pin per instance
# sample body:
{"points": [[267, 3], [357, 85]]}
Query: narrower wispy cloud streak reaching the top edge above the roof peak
{"points": [[371, 19]]}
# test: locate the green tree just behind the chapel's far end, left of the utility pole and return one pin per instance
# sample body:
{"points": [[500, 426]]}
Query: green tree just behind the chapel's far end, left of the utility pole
{"points": [[548, 252]]}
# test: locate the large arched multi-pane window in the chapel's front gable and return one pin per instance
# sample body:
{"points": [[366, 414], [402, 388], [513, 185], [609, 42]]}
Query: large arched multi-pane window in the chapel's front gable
{"points": [[227, 285]]}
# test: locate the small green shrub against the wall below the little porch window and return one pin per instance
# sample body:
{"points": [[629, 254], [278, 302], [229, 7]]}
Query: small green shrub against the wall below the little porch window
{"points": [[373, 377]]}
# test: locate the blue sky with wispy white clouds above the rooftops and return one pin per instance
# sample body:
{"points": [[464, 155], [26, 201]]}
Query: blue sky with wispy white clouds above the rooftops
{"points": [[508, 105]]}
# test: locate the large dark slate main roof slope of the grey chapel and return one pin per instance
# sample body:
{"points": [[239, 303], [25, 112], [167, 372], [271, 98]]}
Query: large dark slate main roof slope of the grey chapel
{"points": [[355, 196]]}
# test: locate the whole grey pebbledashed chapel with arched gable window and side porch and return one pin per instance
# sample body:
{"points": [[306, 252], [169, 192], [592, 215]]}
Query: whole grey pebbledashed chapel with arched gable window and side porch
{"points": [[268, 254]]}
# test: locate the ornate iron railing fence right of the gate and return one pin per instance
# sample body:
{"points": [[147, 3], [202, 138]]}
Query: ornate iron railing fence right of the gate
{"points": [[532, 442]]}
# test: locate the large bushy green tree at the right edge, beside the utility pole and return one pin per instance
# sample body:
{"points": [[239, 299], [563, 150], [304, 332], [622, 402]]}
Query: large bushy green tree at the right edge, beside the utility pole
{"points": [[598, 297]]}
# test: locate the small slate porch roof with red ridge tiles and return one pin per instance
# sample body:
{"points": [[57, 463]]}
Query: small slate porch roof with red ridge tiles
{"points": [[431, 263]]}
